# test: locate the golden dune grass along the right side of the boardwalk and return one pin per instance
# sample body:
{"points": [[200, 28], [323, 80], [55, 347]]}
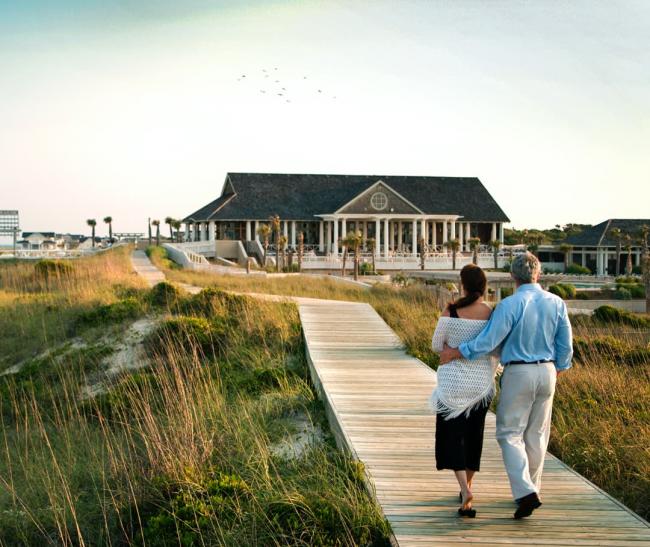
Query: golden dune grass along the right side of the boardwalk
{"points": [[601, 424]]}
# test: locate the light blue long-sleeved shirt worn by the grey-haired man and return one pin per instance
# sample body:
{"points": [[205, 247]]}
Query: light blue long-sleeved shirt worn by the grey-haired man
{"points": [[531, 325]]}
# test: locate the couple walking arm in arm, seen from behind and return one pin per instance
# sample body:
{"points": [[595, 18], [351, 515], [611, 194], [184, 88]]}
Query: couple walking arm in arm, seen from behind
{"points": [[531, 335]]}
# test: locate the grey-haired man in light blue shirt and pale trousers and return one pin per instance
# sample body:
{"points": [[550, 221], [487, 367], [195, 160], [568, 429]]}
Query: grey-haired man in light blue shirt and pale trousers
{"points": [[532, 326]]}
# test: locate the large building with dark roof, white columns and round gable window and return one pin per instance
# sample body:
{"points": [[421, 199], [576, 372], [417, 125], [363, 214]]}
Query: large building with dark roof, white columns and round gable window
{"points": [[397, 212]]}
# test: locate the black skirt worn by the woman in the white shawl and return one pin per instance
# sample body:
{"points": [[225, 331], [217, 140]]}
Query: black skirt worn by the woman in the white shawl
{"points": [[459, 441]]}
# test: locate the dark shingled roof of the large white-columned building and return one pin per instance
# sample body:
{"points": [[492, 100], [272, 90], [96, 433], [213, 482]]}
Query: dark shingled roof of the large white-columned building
{"points": [[302, 197]]}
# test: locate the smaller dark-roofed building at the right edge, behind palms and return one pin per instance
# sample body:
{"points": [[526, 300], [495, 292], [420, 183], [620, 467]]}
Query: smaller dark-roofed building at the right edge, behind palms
{"points": [[595, 247]]}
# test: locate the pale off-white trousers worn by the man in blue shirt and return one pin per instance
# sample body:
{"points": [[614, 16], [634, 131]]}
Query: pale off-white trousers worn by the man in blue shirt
{"points": [[524, 423]]}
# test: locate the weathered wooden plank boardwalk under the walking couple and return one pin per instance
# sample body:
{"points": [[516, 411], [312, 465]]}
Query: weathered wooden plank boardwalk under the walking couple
{"points": [[376, 399]]}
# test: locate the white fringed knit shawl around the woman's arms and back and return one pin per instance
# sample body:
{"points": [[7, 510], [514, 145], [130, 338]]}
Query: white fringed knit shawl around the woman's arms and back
{"points": [[462, 384]]}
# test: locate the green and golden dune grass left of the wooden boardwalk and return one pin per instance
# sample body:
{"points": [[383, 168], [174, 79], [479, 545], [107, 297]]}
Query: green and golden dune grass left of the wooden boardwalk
{"points": [[182, 451]]}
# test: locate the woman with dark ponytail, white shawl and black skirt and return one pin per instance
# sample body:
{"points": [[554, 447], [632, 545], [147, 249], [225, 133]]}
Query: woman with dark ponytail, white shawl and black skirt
{"points": [[465, 388]]}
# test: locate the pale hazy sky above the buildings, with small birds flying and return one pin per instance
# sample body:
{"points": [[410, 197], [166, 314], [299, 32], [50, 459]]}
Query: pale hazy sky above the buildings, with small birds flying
{"points": [[137, 109]]}
